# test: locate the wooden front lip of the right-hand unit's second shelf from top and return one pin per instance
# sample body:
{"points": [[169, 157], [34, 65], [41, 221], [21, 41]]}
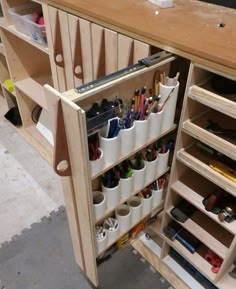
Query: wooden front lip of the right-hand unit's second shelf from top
{"points": [[210, 139]]}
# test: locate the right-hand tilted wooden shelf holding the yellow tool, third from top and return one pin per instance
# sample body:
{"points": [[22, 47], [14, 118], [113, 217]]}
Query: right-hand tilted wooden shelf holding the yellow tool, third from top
{"points": [[198, 161]]}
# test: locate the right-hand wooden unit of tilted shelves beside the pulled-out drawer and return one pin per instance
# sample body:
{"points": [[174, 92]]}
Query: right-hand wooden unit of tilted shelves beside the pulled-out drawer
{"points": [[193, 179]]}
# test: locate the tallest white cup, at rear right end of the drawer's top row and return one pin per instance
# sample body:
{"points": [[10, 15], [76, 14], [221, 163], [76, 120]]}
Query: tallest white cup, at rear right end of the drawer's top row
{"points": [[170, 106]]}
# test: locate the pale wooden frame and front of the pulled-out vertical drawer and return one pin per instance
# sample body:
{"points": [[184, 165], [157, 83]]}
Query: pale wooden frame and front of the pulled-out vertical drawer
{"points": [[71, 155]]}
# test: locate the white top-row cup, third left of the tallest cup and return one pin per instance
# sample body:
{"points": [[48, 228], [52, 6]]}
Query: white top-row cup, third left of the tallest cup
{"points": [[127, 137]]}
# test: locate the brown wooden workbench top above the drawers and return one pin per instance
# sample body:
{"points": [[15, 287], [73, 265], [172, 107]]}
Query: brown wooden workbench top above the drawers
{"points": [[191, 27]]}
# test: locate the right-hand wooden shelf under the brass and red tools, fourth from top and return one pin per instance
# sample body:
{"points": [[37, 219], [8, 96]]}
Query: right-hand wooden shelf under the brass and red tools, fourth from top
{"points": [[195, 197]]}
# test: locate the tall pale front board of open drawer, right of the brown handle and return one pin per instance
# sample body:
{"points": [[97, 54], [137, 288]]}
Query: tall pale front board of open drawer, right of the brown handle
{"points": [[75, 124]]}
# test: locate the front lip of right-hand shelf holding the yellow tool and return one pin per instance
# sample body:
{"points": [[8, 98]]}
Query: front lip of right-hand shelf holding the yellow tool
{"points": [[206, 171]]}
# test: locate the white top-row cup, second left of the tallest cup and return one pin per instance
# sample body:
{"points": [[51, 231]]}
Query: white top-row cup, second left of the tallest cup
{"points": [[141, 131]]}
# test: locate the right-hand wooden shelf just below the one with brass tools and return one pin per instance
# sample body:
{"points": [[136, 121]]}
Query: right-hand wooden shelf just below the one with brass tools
{"points": [[208, 232]]}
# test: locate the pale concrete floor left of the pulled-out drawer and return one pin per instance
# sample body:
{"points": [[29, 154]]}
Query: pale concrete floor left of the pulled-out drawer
{"points": [[29, 189]]}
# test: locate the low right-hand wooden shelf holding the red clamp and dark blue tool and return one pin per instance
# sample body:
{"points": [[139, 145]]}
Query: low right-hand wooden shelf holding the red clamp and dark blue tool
{"points": [[196, 259]]}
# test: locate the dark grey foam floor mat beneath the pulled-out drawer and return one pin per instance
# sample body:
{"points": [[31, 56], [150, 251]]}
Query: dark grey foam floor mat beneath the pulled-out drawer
{"points": [[42, 258]]}
